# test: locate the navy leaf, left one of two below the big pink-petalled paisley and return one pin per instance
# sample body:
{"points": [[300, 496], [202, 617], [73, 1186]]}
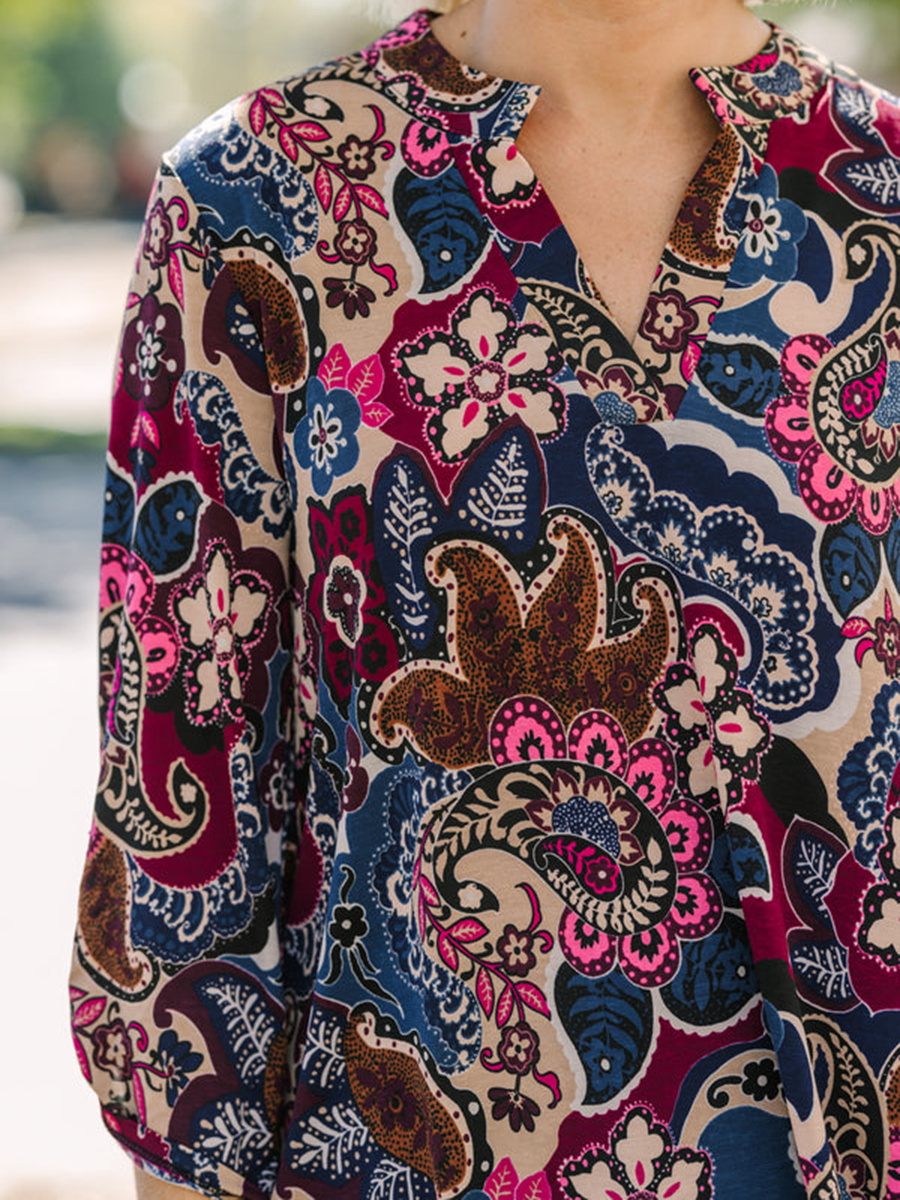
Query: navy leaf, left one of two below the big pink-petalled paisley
{"points": [[611, 1024]]}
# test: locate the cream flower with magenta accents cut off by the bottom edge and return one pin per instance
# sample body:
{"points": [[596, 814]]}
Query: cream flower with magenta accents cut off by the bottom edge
{"points": [[639, 1163]]}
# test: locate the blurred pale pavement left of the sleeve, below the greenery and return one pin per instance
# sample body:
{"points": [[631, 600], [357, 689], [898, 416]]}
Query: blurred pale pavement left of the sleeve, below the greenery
{"points": [[62, 290]]}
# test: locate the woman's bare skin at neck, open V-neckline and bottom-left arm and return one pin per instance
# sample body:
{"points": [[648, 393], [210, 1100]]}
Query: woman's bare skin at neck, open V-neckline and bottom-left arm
{"points": [[615, 92]]}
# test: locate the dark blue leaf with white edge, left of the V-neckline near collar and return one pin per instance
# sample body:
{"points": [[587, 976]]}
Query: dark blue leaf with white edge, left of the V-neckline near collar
{"points": [[445, 226]]}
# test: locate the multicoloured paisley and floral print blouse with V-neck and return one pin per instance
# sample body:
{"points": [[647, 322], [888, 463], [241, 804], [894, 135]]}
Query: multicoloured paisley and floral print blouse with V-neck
{"points": [[501, 782]]}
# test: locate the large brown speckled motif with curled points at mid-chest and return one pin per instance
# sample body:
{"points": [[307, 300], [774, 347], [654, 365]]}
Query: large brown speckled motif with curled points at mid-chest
{"points": [[551, 638]]}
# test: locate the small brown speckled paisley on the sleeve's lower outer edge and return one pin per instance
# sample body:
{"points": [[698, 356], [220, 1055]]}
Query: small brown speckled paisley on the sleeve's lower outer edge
{"points": [[103, 934]]}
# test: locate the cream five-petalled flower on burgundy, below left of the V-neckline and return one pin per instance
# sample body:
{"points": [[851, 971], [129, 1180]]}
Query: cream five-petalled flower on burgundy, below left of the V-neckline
{"points": [[485, 369]]}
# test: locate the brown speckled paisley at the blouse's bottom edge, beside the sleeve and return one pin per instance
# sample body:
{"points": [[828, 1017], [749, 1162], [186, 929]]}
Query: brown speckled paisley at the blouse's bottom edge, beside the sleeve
{"points": [[410, 1112]]}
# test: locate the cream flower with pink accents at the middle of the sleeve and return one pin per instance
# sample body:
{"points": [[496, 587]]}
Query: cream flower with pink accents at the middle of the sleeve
{"points": [[221, 615]]}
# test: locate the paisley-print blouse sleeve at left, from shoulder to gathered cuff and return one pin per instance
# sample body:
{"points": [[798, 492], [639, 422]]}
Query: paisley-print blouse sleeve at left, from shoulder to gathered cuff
{"points": [[183, 1016]]}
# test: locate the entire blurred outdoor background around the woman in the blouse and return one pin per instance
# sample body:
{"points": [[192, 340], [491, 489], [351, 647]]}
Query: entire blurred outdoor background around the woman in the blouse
{"points": [[92, 92]]}
